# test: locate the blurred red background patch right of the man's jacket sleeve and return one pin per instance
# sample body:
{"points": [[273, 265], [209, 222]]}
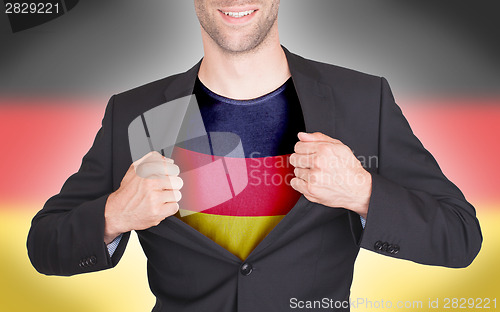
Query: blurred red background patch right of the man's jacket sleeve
{"points": [[464, 136]]}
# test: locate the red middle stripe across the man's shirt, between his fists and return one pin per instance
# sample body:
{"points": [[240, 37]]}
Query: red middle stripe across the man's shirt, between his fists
{"points": [[261, 185]]}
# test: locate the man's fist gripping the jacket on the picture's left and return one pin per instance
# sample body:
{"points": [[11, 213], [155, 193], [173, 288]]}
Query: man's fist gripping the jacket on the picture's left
{"points": [[148, 193]]}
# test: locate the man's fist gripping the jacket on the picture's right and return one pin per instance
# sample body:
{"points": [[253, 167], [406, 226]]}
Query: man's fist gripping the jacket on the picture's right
{"points": [[328, 173]]}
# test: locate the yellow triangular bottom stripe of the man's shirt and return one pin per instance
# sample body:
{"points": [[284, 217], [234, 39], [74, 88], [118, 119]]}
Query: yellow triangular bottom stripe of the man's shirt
{"points": [[239, 235]]}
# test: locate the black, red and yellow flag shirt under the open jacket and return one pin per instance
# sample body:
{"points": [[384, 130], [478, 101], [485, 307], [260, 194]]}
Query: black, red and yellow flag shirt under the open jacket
{"points": [[241, 188]]}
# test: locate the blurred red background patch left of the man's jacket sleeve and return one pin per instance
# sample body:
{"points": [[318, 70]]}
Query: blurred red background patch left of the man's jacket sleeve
{"points": [[42, 142]]}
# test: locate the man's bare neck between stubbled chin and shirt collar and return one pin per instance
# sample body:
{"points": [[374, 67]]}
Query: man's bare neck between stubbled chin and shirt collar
{"points": [[244, 75]]}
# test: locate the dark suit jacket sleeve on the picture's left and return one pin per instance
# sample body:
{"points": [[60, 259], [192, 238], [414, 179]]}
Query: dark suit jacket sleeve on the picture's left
{"points": [[67, 236]]}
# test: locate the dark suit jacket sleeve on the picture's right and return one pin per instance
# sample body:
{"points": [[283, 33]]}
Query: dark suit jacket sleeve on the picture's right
{"points": [[415, 212]]}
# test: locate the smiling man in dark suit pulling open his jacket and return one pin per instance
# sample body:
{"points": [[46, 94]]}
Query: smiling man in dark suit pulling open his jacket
{"points": [[271, 242]]}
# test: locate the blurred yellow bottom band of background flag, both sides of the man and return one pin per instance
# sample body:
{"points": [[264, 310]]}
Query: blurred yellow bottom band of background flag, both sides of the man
{"points": [[128, 280]]}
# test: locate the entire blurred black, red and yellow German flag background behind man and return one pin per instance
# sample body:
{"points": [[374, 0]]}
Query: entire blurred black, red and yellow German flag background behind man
{"points": [[440, 57]]}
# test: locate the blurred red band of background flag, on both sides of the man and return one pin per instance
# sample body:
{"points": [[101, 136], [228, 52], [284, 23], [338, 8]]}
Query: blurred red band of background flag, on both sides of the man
{"points": [[43, 140]]}
